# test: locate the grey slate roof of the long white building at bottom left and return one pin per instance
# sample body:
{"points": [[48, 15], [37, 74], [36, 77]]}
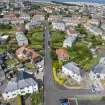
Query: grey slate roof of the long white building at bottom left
{"points": [[23, 80]]}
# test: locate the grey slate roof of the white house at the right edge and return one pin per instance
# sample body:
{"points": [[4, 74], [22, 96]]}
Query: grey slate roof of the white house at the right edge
{"points": [[100, 68]]}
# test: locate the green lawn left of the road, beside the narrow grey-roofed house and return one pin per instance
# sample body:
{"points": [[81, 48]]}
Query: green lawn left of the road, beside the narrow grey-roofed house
{"points": [[36, 39]]}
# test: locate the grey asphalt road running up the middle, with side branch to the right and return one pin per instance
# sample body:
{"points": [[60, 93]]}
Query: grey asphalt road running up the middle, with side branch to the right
{"points": [[52, 91]]}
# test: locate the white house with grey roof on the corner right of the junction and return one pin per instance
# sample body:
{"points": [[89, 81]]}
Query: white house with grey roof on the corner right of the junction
{"points": [[71, 69]]}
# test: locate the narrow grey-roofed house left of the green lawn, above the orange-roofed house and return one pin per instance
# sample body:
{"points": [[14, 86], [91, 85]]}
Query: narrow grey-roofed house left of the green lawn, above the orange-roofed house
{"points": [[21, 39]]}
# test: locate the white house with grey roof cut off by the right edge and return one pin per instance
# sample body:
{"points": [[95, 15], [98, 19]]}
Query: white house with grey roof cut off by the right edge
{"points": [[98, 72]]}
